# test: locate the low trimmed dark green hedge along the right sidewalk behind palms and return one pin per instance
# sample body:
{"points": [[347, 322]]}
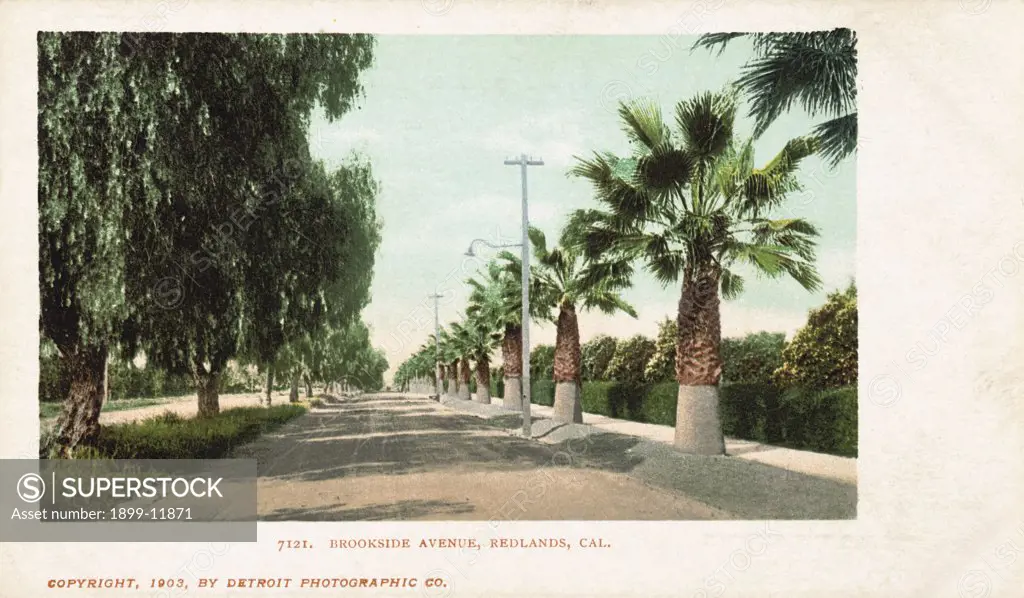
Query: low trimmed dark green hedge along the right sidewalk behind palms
{"points": [[820, 421]]}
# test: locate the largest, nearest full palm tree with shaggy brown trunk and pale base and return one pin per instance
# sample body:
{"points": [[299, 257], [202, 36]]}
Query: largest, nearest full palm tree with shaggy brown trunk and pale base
{"points": [[691, 204]]}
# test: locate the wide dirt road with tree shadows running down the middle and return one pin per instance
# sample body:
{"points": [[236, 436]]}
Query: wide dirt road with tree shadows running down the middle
{"points": [[398, 458]]}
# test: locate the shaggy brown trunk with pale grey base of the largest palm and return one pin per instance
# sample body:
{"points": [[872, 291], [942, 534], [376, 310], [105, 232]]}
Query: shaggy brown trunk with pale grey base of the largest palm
{"points": [[699, 364]]}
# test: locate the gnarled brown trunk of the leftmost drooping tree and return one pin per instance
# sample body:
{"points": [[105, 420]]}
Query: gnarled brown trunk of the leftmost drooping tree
{"points": [[79, 421]]}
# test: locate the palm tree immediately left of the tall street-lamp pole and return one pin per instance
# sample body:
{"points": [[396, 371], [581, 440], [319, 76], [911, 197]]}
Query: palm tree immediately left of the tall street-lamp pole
{"points": [[498, 298]]}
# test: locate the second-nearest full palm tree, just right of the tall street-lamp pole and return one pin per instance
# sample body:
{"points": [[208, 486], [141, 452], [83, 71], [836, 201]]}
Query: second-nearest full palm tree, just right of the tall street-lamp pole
{"points": [[566, 279]]}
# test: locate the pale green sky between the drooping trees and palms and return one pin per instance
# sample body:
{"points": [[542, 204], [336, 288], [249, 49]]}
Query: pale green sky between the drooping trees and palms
{"points": [[442, 113]]}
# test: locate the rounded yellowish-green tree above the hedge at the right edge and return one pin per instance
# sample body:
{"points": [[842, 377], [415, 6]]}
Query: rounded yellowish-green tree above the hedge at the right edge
{"points": [[824, 354]]}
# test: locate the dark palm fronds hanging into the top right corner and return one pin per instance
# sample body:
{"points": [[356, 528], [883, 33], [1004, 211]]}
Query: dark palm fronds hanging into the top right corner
{"points": [[818, 70]]}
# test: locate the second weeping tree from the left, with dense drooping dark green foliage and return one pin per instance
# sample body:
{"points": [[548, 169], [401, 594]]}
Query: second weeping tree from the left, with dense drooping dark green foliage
{"points": [[250, 226]]}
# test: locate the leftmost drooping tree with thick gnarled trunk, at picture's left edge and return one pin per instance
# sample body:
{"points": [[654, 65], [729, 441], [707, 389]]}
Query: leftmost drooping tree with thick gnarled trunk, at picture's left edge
{"points": [[95, 165]]}
